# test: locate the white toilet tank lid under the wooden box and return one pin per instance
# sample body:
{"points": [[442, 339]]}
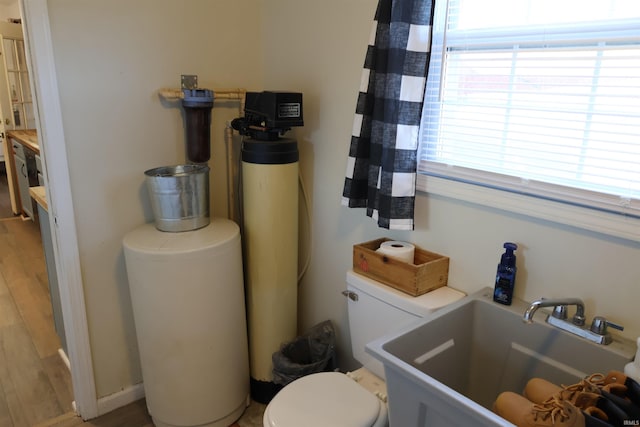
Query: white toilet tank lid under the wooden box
{"points": [[419, 306]]}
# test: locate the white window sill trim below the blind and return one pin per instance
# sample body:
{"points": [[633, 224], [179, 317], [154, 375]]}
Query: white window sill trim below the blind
{"points": [[574, 216]]}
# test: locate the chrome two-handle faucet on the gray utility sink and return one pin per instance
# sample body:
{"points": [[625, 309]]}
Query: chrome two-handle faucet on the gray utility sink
{"points": [[558, 318]]}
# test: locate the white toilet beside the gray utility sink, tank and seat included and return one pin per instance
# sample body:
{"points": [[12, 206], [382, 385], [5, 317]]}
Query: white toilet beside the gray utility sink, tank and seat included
{"points": [[358, 398]]}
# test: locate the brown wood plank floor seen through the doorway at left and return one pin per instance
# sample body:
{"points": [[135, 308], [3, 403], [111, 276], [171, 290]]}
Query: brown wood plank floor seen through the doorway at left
{"points": [[35, 384]]}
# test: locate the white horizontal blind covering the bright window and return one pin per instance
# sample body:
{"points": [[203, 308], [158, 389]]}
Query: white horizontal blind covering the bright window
{"points": [[537, 97]]}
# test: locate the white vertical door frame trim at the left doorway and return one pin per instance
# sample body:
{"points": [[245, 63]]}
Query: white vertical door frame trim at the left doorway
{"points": [[49, 124]]}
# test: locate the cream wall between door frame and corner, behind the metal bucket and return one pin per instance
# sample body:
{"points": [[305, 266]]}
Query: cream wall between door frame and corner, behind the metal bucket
{"points": [[111, 59]]}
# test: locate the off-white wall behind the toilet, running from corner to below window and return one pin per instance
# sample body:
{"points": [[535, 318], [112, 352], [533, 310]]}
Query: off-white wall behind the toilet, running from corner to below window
{"points": [[318, 48]]}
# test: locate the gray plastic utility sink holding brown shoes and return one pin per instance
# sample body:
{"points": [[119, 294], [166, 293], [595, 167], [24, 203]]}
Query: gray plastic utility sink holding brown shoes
{"points": [[448, 368]]}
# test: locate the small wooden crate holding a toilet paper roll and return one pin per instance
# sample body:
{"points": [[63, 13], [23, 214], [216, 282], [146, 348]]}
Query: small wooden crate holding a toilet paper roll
{"points": [[428, 272]]}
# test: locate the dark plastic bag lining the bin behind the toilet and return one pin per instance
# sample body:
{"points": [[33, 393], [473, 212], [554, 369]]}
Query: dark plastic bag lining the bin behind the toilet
{"points": [[312, 352]]}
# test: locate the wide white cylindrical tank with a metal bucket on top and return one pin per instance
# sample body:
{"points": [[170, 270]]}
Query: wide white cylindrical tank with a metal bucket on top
{"points": [[187, 294]]}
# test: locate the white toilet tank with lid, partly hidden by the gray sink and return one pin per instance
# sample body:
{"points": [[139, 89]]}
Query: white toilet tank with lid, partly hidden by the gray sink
{"points": [[376, 309]]}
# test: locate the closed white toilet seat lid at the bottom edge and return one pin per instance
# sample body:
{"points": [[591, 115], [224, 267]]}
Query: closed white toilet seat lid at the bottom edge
{"points": [[325, 399]]}
